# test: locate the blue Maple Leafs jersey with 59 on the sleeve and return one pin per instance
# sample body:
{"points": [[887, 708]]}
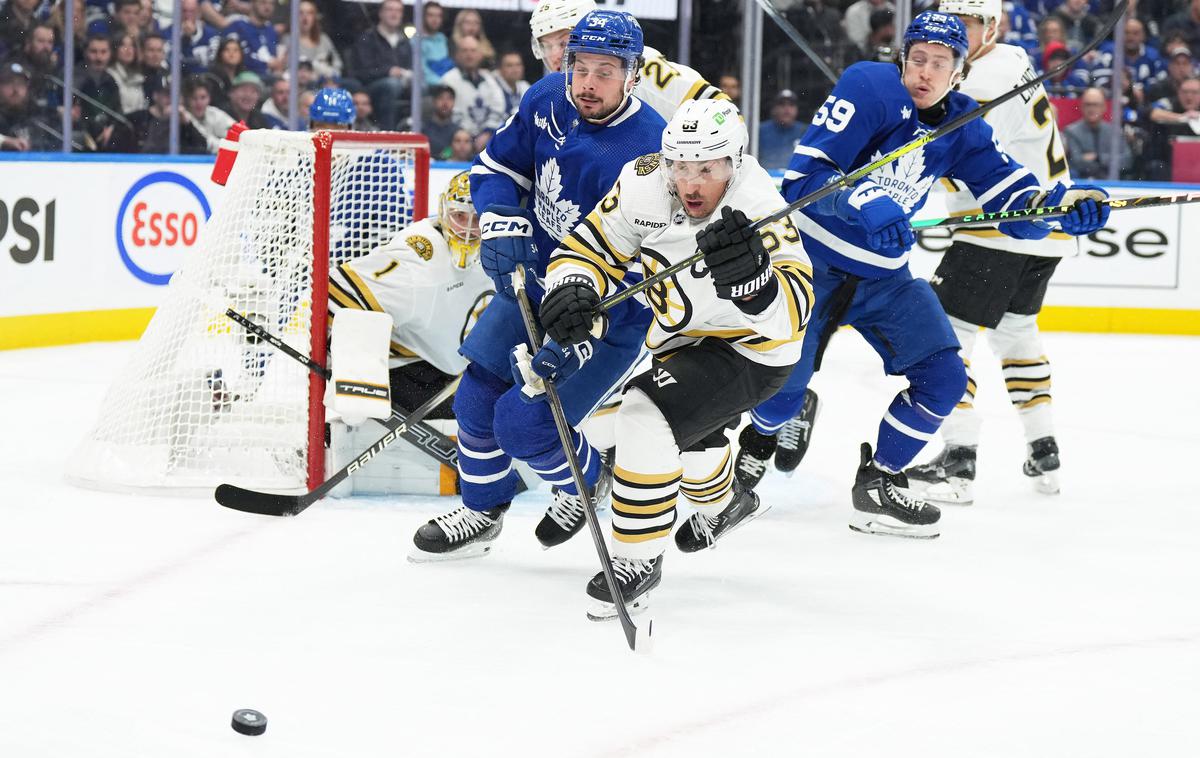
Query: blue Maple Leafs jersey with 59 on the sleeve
{"points": [[869, 115]]}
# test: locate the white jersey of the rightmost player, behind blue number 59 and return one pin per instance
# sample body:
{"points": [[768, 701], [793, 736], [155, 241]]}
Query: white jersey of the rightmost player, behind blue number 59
{"points": [[1027, 130]]}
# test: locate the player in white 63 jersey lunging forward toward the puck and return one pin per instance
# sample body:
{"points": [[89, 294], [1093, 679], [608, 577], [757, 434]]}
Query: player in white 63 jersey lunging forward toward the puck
{"points": [[725, 334]]}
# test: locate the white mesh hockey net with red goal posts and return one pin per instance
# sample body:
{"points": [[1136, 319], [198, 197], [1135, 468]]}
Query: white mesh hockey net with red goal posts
{"points": [[203, 402]]}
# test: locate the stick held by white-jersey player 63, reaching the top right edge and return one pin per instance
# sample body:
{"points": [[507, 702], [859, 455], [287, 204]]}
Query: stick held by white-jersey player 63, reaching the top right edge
{"points": [[847, 181]]}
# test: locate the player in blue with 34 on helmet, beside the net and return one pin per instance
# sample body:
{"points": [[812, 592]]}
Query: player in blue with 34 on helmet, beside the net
{"points": [[560, 154]]}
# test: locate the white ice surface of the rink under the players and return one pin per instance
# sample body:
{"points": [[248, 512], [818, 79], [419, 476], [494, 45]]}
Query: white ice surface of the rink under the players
{"points": [[1035, 627]]}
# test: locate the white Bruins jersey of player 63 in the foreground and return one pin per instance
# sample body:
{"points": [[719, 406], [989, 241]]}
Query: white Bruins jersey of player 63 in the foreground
{"points": [[641, 222]]}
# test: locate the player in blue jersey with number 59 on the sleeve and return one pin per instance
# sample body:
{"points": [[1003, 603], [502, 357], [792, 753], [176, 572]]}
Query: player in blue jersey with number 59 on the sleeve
{"points": [[860, 238]]}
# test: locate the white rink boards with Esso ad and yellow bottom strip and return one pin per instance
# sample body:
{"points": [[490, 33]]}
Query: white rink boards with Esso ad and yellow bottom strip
{"points": [[88, 246]]}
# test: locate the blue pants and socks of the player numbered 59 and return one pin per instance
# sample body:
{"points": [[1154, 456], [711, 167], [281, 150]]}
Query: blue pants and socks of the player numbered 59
{"points": [[903, 321]]}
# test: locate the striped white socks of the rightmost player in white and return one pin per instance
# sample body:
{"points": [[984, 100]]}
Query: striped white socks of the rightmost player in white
{"points": [[1017, 342]]}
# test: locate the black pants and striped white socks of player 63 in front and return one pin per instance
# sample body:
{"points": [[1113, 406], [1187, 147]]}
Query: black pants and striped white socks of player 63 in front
{"points": [[671, 440]]}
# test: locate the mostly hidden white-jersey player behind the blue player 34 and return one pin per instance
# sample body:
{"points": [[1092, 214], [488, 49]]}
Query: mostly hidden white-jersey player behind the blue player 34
{"points": [[663, 86]]}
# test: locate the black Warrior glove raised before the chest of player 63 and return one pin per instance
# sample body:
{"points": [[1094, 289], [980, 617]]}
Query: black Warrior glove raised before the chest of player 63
{"points": [[739, 261]]}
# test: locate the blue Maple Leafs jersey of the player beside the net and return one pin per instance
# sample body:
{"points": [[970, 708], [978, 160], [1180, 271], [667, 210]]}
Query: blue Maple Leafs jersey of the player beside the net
{"points": [[560, 163]]}
